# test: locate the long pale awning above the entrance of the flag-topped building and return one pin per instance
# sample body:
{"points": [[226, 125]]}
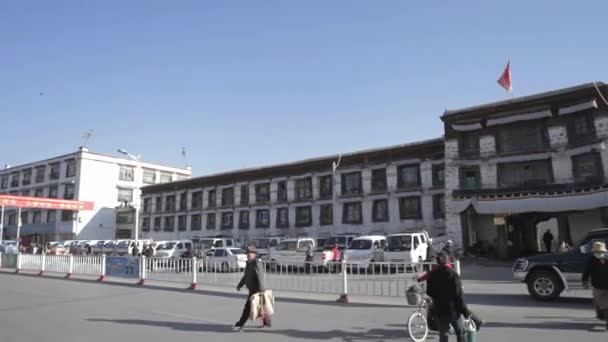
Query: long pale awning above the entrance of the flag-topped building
{"points": [[534, 203]]}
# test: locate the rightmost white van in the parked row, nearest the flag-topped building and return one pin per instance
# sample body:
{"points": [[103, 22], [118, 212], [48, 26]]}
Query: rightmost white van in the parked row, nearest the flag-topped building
{"points": [[407, 247]]}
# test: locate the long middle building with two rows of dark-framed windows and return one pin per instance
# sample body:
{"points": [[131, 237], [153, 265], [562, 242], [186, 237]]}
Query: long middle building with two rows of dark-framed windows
{"points": [[383, 191]]}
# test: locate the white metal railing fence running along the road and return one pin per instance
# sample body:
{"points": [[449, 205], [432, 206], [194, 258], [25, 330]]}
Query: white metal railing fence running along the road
{"points": [[375, 279]]}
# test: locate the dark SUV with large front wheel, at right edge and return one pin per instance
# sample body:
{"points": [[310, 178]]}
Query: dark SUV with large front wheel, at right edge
{"points": [[548, 275]]}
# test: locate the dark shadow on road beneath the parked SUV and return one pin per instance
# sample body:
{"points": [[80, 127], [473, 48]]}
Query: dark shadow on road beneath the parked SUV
{"points": [[526, 301]]}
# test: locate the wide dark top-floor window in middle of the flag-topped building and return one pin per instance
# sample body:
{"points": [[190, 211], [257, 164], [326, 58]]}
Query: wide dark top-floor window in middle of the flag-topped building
{"points": [[524, 137]]}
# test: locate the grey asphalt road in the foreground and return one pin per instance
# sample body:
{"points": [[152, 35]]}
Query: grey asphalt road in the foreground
{"points": [[43, 309]]}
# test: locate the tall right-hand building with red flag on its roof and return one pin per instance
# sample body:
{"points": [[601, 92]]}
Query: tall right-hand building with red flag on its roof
{"points": [[517, 168]]}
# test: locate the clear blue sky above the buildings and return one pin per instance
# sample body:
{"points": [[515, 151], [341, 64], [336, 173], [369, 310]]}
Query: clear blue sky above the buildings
{"points": [[247, 83]]}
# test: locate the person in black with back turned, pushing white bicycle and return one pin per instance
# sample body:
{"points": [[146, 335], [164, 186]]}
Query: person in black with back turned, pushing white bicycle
{"points": [[445, 287]]}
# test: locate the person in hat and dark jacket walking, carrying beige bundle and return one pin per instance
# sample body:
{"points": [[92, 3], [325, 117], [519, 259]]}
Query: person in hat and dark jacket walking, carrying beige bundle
{"points": [[254, 280]]}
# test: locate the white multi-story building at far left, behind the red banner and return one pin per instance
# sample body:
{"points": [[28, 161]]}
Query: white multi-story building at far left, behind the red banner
{"points": [[112, 183]]}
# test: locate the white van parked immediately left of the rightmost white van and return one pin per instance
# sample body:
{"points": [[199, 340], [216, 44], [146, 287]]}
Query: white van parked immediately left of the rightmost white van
{"points": [[365, 250]]}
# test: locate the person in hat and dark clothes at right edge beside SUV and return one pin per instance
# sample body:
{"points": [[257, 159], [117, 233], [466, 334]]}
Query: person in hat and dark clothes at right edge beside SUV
{"points": [[597, 270]]}
